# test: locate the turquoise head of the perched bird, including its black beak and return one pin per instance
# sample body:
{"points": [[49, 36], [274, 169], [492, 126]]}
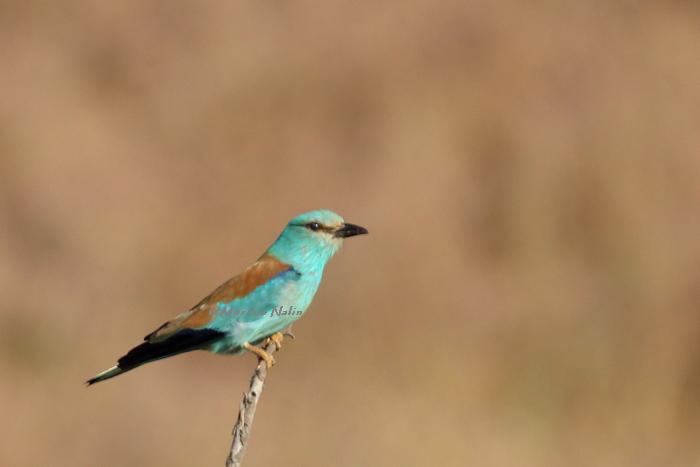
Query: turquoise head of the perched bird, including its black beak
{"points": [[311, 239]]}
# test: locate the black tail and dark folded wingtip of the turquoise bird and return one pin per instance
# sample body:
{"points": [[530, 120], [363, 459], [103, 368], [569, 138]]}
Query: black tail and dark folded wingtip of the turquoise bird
{"points": [[180, 342]]}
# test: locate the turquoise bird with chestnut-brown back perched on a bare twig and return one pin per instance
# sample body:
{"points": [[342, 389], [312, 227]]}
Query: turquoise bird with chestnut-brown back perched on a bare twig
{"points": [[266, 298]]}
